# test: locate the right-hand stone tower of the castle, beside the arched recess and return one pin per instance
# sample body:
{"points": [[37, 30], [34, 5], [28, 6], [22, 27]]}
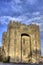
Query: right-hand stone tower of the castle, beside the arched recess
{"points": [[35, 43]]}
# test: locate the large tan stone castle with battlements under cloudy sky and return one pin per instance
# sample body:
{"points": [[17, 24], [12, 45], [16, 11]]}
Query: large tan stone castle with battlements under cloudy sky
{"points": [[21, 43]]}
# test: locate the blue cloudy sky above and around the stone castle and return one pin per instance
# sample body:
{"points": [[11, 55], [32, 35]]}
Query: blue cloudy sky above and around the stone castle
{"points": [[26, 11]]}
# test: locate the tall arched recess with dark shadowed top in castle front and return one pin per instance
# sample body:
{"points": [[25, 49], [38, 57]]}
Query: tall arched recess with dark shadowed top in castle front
{"points": [[25, 48]]}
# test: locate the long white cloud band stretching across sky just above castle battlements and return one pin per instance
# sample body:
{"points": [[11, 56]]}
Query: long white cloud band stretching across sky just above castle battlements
{"points": [[20, 18]]}
